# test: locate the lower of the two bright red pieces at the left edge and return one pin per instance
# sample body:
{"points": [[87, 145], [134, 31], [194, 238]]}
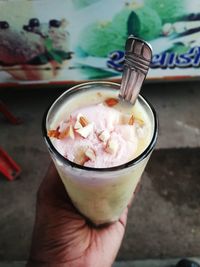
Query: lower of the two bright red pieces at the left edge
{"points": [[8, 167]]}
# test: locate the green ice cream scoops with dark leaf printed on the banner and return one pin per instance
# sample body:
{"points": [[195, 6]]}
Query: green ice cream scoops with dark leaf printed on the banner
{"points": [[142, 22]]}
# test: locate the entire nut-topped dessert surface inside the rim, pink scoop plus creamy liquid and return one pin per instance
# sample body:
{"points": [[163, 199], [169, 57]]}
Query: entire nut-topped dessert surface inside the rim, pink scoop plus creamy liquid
{"points": [[103, 134]]}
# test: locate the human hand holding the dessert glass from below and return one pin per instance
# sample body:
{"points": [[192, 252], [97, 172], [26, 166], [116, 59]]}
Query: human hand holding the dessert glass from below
{"points": [[62, 237]]}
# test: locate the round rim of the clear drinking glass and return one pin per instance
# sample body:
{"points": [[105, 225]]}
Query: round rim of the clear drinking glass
{"points": [[126, 165]]}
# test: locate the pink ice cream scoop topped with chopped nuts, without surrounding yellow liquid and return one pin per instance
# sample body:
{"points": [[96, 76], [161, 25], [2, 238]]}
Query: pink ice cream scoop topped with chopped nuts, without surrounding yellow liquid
{"points": [[97, 136]]}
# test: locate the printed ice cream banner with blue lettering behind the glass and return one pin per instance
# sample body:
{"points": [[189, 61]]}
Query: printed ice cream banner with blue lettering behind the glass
{"points": [[47, 41]]}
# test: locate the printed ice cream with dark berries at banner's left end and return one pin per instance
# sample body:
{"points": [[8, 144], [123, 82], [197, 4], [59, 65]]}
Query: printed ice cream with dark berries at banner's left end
{"points": [[36, 51]]}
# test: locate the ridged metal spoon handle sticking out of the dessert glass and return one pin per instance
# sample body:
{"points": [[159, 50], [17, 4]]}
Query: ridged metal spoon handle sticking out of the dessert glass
{"points": [[138, 55]]}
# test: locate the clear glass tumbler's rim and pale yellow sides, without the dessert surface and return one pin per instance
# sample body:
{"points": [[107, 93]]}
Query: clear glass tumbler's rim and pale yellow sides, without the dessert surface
{"points": [[100, 194]]}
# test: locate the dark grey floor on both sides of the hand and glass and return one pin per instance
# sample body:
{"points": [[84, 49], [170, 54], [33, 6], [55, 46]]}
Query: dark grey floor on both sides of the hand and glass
{"points": [[164, 220]]}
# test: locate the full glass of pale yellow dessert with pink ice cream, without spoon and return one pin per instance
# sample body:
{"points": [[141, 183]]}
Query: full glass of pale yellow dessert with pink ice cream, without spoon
{"points": [[100, 147]]}
